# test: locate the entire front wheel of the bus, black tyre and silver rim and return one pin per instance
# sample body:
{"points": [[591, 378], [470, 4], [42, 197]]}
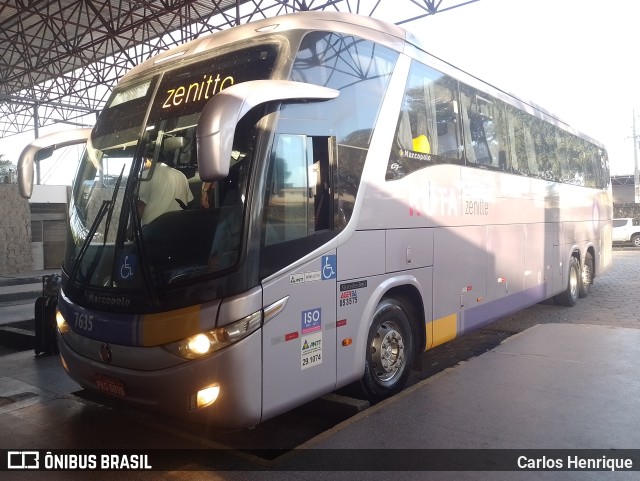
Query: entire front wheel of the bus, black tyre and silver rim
{"points": [[389, 351]]}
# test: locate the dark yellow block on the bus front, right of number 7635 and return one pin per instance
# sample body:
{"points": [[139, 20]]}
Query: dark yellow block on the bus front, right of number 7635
{"points": [[164, 327]]}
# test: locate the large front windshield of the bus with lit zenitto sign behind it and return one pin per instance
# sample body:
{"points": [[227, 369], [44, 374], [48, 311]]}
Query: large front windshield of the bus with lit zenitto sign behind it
{"points": [[140, 215]]}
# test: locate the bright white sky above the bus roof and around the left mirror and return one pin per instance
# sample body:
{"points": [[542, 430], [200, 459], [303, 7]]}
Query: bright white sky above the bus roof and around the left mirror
{"points": [[579, 59]]}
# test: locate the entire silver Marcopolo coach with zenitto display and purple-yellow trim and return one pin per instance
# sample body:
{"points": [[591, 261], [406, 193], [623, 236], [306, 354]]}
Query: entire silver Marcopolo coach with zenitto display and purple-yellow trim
{"points": [[352, 202]]}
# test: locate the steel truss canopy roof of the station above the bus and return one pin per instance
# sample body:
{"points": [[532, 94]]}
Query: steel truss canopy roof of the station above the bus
{"points": [[59, 59]]}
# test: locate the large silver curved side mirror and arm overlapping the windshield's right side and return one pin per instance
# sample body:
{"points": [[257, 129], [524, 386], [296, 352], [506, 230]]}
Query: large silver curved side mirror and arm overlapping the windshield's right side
{"points": [[217, 124]]}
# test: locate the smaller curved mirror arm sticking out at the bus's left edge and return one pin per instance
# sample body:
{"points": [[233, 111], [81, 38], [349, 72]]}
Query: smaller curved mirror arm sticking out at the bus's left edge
{"points": [[41, 148]]}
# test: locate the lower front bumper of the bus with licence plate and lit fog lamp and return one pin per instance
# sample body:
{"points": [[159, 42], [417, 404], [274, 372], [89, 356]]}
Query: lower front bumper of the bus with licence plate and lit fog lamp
{"points": [[233, 372]]}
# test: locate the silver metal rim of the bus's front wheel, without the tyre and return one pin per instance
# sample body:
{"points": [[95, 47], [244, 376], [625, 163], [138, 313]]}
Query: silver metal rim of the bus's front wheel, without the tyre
{"points": [[387, 351]]}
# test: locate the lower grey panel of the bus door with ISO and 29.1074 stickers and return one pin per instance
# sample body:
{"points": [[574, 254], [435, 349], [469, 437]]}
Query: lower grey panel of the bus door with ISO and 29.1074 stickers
{"points": [[299, 343]]}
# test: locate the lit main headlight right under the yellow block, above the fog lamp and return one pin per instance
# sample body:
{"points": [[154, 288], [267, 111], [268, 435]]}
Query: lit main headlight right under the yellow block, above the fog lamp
{"points": [[207, 342]]}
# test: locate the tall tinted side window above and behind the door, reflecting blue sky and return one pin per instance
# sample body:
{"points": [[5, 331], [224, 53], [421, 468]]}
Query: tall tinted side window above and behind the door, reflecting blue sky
{"points": [[360, 70]]}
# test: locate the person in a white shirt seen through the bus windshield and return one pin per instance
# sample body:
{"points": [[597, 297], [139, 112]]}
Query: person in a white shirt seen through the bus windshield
{"points": [[166, 190]]}
